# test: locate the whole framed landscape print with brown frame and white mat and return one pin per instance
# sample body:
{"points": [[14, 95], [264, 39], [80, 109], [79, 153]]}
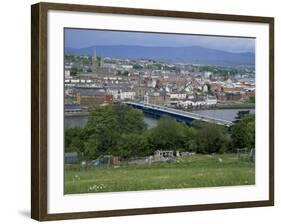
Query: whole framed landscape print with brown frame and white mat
{"points": [[139, 111]]}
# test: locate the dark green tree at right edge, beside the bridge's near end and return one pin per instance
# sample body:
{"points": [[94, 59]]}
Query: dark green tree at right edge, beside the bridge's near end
{"points": [[243, 132]]}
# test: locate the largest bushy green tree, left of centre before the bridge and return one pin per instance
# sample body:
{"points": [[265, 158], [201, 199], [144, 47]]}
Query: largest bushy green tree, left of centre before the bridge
{"points": [[107, 126]]}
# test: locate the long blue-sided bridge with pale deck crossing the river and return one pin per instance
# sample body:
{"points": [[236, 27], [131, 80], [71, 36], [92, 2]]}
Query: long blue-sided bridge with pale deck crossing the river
{"points": [[179, 115]]}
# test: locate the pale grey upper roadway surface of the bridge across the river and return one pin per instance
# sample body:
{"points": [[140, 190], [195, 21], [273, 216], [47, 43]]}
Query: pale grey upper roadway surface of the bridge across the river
{"points": [[186, 114]]}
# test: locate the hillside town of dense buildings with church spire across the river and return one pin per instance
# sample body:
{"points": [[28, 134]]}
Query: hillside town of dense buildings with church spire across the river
{"points": [[93, 80]]}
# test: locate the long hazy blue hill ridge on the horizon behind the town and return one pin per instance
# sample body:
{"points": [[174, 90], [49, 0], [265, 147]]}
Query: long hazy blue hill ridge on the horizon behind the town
{"points": [[193, 54]]}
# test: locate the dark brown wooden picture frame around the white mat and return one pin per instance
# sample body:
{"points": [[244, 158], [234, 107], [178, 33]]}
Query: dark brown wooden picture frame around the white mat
{"points": [[39, 110]]}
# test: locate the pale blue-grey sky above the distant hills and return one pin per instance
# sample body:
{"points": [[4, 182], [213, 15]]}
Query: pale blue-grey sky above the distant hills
{"points": [[82, 38]]}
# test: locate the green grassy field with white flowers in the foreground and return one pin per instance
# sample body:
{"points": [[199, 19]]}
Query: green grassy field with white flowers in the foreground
{"points": [[189, 172]]}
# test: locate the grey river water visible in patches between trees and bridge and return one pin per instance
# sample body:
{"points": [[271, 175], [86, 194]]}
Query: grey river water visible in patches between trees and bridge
{"points": [[224, 114]]}
